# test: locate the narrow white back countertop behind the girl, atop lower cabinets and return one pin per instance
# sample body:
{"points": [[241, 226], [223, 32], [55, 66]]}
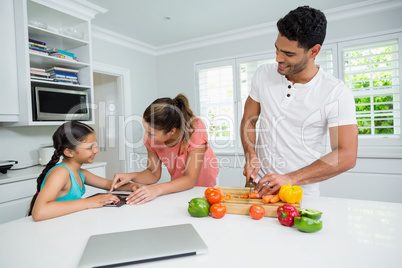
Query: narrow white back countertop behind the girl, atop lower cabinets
{"points": [[33, 172]]}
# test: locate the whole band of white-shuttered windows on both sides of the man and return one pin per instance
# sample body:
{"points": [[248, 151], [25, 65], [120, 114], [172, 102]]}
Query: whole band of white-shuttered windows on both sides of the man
{"points": [[369, 67]]}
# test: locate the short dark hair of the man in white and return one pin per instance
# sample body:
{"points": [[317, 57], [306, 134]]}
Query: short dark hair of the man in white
{"points": [[305, 25]]}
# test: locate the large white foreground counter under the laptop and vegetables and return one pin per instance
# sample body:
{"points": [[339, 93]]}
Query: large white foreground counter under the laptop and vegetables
{"points": [[355, 233]]}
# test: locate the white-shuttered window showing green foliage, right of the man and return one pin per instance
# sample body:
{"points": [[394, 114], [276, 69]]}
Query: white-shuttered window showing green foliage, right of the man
{"points": [[371, 71]]}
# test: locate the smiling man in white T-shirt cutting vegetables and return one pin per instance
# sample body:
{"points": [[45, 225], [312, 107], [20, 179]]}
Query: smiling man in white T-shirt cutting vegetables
{"points": [[296, 102]]}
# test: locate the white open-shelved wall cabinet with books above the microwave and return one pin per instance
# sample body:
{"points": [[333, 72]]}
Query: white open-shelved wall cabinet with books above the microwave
{"points": [[53, 42]]}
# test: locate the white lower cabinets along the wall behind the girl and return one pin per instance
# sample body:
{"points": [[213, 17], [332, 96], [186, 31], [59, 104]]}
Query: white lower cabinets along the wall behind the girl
{"points": [[18, 186]]}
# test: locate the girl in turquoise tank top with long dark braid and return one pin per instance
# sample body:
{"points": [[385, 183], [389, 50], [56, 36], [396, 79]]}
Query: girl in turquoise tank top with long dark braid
{"points": [[61, 186]]}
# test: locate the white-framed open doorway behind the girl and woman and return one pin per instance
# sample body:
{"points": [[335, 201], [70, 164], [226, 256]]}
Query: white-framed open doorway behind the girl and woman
{"points": [[111, 93]]}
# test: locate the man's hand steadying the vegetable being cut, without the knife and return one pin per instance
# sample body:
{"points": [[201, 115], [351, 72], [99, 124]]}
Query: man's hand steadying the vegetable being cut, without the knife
{"points": [[271, 184]]}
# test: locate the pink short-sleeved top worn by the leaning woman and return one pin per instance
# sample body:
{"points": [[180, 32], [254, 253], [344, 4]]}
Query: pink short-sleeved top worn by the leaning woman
{"points": [[176, 161]]}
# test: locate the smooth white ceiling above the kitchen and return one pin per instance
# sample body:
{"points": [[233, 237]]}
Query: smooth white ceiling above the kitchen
{"points": [[164, 22]]}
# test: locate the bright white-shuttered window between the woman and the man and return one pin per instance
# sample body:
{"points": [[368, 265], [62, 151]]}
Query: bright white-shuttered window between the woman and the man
{"points": [[223, 89]]}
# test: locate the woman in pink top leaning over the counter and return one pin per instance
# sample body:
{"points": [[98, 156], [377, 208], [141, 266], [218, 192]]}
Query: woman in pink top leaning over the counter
{"points": [[177, 138]]}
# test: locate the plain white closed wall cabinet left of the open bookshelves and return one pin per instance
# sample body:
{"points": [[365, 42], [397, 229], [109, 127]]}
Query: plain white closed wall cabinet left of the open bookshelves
{"points": [[8, 75]]}
